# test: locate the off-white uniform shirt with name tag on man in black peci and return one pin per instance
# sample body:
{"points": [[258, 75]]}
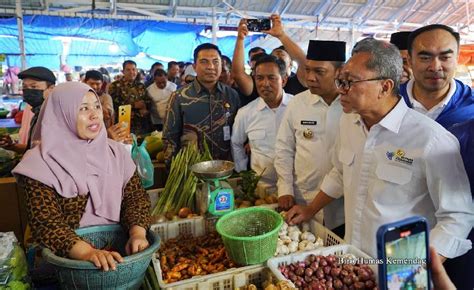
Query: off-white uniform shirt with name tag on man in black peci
{"points": [[301, 162]]}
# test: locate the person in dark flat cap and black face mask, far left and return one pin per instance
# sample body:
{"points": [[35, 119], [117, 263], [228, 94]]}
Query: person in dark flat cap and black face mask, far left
{"points": [[37, 84]]}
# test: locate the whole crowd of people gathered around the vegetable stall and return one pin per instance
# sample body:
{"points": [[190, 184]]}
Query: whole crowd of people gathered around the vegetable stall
{"points": [[358, 142]]}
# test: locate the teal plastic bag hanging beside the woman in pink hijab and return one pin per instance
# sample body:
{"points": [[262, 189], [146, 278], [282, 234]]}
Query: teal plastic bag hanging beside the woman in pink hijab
{"points": [[143, 162]]}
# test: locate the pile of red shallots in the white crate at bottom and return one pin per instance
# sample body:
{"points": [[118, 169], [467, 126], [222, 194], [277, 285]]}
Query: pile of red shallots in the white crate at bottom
{"points": [[320, 272]]}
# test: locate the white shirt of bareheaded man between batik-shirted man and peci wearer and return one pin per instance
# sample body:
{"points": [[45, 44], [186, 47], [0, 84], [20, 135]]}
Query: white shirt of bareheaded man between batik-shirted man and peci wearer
{"points": [[259, 124]]}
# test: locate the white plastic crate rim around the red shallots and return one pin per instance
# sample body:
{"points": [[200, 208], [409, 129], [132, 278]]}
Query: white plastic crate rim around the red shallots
{"points": [[275, 263]]}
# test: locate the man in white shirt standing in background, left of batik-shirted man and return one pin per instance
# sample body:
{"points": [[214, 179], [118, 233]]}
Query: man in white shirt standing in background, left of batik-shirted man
{"points": [[160, 91]]}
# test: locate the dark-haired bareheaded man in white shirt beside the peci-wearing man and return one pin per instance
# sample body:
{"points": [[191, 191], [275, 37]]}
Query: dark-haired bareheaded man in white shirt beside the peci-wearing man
{"points": [[259, 120]]}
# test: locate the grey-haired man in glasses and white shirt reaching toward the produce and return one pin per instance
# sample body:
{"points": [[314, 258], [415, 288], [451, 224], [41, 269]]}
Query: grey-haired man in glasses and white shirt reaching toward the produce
{"points": [[391, 162]]}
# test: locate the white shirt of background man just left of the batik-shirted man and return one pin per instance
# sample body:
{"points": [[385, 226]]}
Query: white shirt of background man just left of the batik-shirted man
{"points": [[160, 99]]}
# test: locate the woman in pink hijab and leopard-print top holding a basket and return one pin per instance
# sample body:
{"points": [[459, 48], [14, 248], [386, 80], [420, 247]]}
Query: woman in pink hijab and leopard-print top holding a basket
{"points": [[76, 177]]}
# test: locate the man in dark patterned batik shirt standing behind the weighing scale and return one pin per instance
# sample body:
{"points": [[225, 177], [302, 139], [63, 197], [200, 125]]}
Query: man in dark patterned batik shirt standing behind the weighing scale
{"points": [[202, 111]]}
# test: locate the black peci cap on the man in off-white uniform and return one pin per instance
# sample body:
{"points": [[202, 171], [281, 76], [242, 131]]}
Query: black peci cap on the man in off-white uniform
{"points": [[326, 50]]}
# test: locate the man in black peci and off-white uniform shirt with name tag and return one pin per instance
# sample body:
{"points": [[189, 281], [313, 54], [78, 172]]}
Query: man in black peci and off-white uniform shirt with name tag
{"points": [[308, 132]]}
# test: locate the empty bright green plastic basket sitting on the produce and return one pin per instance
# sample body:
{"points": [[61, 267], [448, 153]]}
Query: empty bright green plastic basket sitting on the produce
{"points": [[250, 235]]}
